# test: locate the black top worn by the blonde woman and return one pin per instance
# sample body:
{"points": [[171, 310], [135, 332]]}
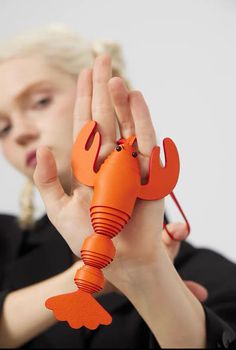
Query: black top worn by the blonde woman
{"points": [[33, 256]]}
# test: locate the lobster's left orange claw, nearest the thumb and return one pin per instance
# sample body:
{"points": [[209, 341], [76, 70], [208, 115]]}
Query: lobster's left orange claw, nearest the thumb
{"points": [[83, 160]]}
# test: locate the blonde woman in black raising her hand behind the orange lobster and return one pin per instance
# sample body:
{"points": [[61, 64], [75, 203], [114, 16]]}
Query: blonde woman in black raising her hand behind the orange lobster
{"points": [[39, 90]]}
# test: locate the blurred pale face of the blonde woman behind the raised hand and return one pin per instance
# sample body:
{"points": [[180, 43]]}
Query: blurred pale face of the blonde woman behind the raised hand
{"points": [[36, 108]]}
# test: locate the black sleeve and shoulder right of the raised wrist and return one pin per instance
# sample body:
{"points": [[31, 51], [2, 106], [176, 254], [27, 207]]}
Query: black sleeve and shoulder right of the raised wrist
{"points": [[218, 275]]}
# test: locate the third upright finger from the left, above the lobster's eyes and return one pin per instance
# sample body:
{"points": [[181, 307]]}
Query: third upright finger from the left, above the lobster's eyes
{"points": [[120, 99]]}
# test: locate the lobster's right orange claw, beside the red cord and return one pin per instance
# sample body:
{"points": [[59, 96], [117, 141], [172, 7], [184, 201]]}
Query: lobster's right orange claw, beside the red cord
{"points": [[162, 180]]}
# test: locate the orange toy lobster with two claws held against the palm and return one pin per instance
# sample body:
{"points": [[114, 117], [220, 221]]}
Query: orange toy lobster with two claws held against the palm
{"points": [[117, 185]]}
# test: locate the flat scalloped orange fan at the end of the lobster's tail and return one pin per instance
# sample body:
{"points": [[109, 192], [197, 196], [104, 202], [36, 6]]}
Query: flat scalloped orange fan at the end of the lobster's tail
{"points": [[79, 309]]}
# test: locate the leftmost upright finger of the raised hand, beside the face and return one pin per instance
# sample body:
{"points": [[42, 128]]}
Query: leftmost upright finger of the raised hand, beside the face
{"points": [[82, 110]]}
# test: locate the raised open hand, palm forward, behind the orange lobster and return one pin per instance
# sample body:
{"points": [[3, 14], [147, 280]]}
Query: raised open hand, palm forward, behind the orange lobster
{"points": [[138, 243]]}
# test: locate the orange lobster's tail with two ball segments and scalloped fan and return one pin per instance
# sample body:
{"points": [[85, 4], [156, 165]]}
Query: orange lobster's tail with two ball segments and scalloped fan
{"points": [[80, 308]]}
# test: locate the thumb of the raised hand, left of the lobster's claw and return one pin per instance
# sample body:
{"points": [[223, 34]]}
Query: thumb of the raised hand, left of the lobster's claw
{"points": [[47, 181]]}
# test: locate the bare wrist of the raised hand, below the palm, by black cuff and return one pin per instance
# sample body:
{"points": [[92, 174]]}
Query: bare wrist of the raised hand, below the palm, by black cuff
{"points": [[164, 302]]}
